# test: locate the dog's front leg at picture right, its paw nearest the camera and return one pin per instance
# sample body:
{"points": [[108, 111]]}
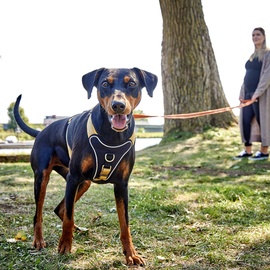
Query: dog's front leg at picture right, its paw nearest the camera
{"points": [[121, 198]]}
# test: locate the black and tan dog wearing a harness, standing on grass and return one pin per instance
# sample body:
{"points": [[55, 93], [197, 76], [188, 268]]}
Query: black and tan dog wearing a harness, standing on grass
{"points": [[94, 146]]}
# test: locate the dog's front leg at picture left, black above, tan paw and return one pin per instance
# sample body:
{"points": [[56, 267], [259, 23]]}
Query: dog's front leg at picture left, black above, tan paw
{"points": [[65, 242]]}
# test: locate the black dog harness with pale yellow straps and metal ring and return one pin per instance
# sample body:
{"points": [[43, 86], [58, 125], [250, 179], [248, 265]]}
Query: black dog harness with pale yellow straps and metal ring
{"points": [[107, 157]]}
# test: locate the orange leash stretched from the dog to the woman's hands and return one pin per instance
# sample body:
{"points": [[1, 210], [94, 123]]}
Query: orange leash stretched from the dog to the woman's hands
{"points": [[196, 114]]}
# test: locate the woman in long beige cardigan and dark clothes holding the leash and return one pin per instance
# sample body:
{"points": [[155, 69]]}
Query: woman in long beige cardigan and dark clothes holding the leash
{"points": [[254, 119]]}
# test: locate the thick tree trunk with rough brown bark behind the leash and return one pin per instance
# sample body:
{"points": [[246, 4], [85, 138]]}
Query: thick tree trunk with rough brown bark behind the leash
{"points": [[190, 77]]}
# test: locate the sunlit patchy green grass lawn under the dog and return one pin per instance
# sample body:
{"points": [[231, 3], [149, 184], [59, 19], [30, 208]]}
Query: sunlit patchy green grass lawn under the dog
{"points": [[191, 207]]}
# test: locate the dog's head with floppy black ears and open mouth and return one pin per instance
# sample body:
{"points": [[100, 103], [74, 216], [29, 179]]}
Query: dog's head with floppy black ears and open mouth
{"points": [[119, 91]]}
